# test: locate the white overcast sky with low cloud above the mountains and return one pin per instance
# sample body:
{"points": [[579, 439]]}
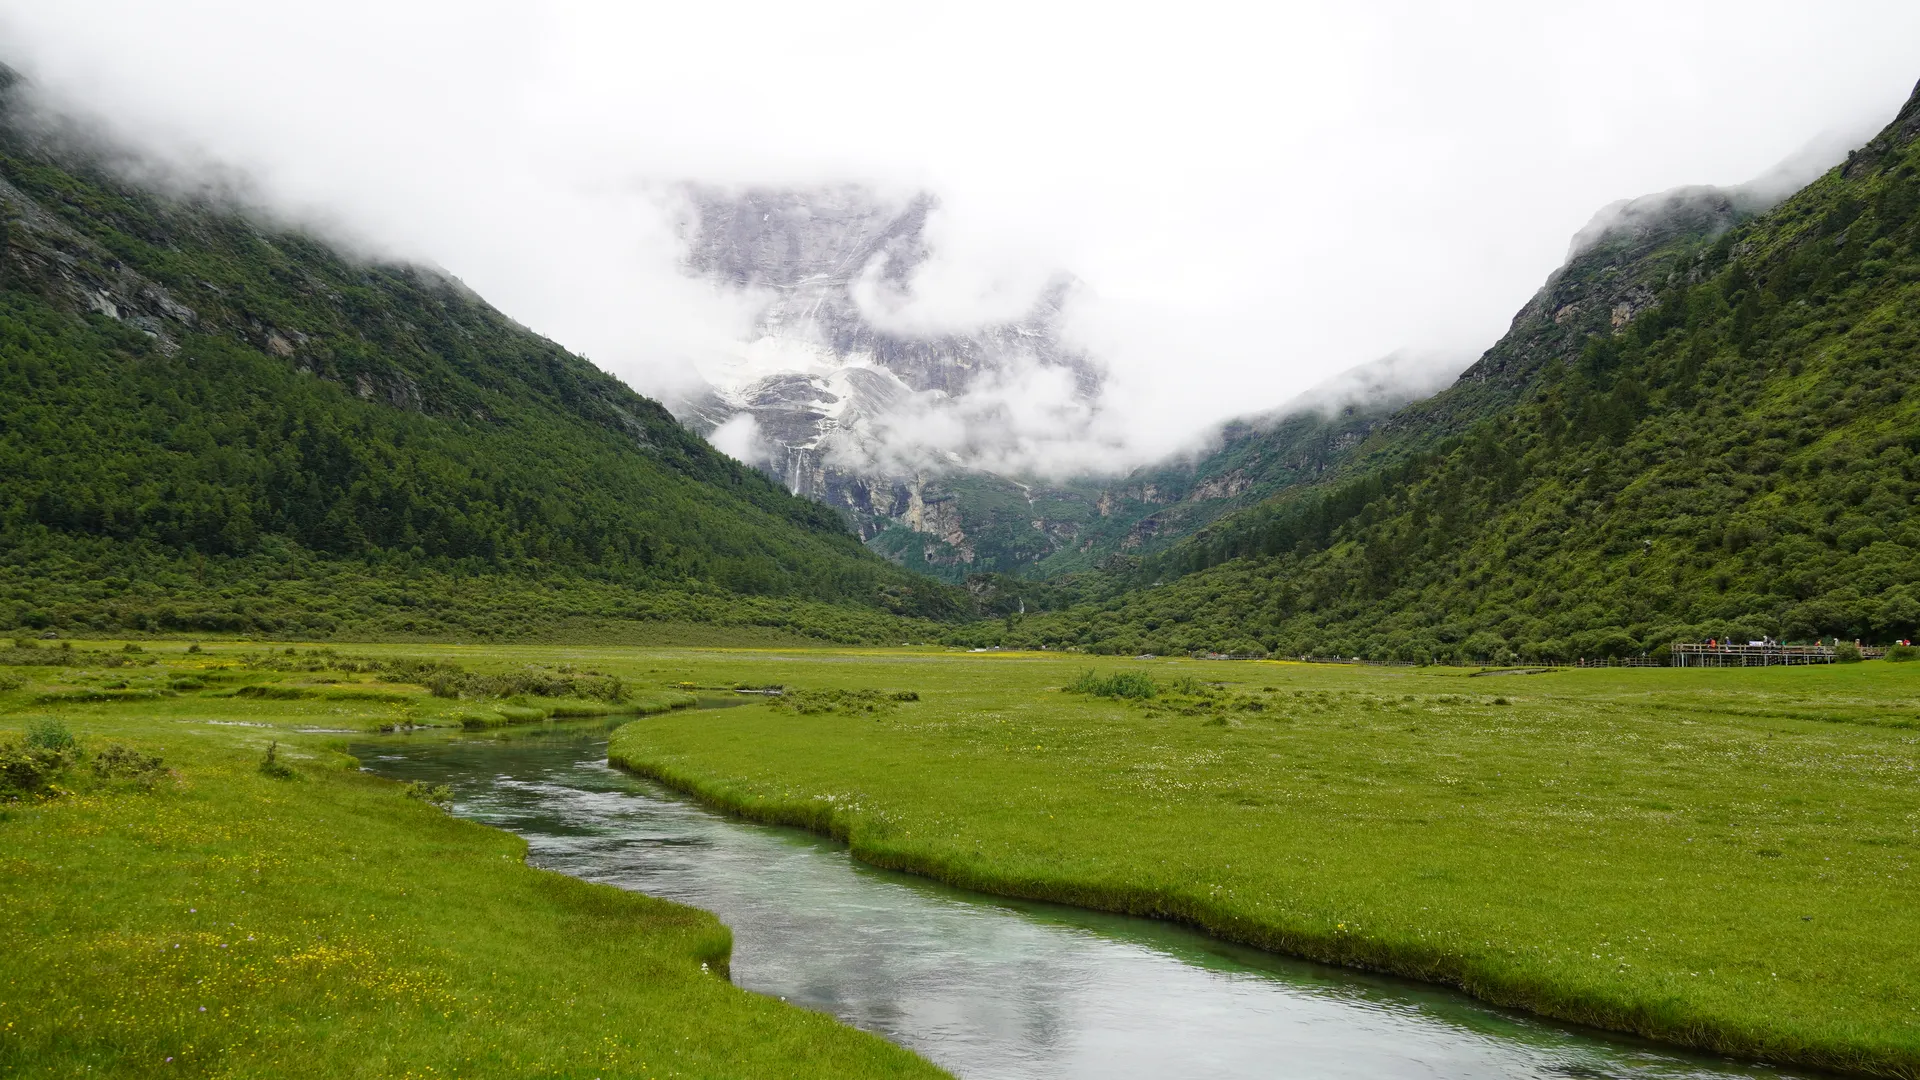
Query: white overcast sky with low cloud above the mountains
{"points": [[1255, 195]]}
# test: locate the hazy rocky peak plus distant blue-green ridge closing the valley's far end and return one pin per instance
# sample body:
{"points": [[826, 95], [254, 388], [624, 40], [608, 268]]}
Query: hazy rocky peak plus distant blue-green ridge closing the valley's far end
{"points": [[834, 405]]}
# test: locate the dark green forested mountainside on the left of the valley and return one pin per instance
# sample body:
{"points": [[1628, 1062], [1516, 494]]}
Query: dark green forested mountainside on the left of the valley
{"points": [[210, 424]]}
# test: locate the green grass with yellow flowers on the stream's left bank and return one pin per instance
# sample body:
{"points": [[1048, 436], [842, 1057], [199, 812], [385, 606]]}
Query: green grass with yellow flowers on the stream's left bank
{"points": [[218, 921]]}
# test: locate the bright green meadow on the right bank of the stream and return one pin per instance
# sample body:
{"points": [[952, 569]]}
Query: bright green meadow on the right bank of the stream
{"points": [[1712, 858]]}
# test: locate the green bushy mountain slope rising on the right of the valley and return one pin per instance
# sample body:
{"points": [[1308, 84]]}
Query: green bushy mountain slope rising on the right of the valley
{"points": [[1704, 426]]}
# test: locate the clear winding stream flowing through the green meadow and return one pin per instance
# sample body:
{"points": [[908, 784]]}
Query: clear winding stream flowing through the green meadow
{"points": [[988, 987]]}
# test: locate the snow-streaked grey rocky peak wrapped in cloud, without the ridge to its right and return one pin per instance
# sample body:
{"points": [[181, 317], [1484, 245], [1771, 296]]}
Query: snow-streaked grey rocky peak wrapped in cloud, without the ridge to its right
{"points": [[823, 395]]}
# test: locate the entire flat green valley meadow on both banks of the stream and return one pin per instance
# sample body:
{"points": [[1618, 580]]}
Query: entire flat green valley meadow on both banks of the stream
{"points": [[1714, 858]]}
